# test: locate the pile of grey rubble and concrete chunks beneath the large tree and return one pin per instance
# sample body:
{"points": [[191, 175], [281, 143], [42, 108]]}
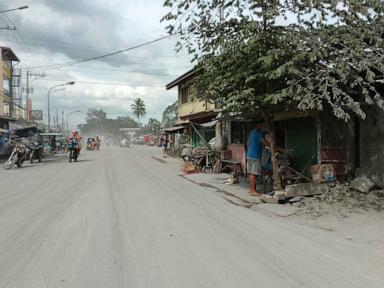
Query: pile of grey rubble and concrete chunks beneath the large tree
{"points": [[318, 199]]}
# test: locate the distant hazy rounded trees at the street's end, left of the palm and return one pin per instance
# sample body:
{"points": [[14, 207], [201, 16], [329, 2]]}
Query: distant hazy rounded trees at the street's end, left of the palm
{"points": [[98, 123]]}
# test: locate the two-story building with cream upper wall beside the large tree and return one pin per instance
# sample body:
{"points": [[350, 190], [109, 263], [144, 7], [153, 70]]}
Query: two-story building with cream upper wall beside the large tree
{"points": [[194, 111]]}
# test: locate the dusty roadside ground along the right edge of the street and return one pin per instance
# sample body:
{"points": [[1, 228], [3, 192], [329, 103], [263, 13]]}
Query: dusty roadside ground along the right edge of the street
{"points": [[352, 215]]}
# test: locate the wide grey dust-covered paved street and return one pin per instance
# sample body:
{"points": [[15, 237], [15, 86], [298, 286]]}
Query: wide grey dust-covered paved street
{"points": [[121, 218]]}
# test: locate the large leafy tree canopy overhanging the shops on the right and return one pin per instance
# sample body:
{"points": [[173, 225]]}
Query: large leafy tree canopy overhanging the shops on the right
{"points": [[270, 55]]}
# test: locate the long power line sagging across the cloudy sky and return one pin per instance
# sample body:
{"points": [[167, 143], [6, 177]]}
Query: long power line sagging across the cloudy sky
{"points": [[71, 63]]}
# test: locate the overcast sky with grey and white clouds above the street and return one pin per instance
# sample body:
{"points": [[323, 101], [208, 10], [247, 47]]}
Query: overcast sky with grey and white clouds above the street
{"points": [[57, 31]]}
